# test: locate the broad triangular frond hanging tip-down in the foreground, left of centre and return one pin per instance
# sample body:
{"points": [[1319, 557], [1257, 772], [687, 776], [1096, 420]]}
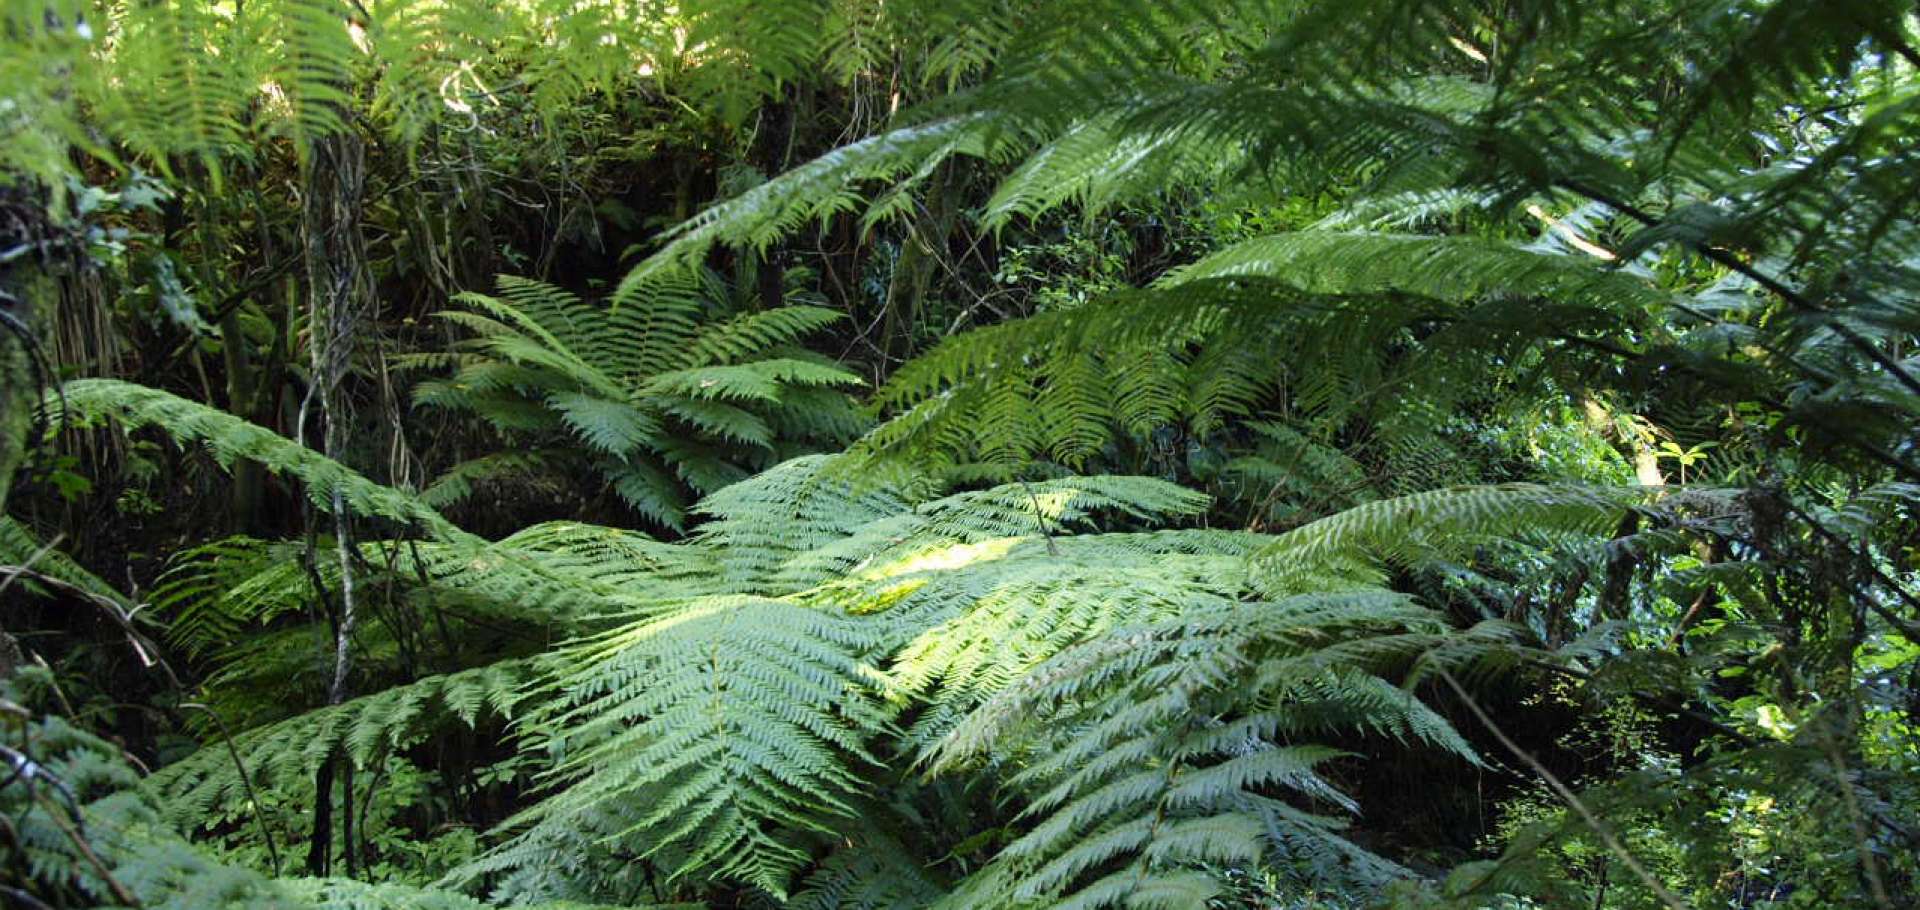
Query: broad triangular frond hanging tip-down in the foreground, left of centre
{"points": [[729, 719]]}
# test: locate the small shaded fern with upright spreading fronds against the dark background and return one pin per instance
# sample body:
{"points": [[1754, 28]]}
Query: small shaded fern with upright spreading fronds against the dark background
{"points": [[658, 387]]}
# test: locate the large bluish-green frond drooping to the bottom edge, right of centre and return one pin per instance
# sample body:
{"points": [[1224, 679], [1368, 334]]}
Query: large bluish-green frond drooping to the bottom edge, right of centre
{"points": [[1163, 752]]}
